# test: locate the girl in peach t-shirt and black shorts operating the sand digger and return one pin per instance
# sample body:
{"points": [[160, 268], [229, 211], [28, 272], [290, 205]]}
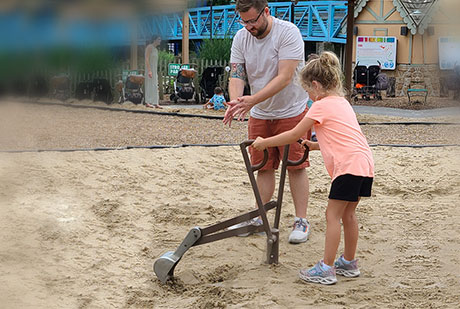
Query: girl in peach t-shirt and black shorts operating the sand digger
{"points": [[347, 157]]}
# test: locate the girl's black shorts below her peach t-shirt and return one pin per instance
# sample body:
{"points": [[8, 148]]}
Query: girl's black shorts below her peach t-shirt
{"points": [[350, 187]]}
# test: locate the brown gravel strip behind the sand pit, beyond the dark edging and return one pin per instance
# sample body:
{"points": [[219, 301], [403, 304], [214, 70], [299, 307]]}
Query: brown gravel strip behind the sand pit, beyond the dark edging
{"points": [[32, 126]]}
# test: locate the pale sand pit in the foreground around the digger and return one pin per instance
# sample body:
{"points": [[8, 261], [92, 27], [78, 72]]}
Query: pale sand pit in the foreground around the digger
{"points": [[82, 230]]}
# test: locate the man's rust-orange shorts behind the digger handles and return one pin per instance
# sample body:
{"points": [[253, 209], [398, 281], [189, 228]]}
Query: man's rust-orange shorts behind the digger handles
{"points": [[267, 128]]}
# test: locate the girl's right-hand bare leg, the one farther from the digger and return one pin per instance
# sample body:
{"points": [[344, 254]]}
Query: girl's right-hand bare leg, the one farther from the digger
{"points": [[350, 230]]}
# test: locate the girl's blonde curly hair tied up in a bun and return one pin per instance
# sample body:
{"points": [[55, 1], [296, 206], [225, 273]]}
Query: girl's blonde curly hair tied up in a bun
{"points": [[325, 69]]}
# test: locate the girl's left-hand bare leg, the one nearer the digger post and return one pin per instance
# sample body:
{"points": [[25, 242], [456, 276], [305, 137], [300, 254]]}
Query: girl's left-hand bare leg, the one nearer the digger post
{"points": [[334, 212]]}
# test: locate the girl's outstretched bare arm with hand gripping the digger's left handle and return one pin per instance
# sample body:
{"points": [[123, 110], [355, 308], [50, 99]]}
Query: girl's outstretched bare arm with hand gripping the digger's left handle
{"points": [[285, 138]]}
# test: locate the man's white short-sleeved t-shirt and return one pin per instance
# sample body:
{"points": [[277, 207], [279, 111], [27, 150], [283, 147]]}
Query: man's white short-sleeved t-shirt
{"points": [[261, 57]]}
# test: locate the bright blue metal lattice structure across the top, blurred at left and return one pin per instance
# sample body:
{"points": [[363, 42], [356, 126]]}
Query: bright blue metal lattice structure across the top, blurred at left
{"points": [[320, 21]]}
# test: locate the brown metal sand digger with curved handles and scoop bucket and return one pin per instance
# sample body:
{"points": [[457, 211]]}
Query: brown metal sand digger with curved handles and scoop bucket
{"points": [[164, 266]]}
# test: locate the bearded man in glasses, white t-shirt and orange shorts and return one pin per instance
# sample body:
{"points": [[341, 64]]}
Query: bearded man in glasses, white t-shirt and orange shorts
{"points": [[267, 53]]}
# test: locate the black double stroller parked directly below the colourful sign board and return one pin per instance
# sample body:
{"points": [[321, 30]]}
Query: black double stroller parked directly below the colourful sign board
{"points": [[368, 82]]}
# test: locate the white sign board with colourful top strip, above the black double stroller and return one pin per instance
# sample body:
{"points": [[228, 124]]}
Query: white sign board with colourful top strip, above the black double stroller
{"points": [[372, 50]]}
